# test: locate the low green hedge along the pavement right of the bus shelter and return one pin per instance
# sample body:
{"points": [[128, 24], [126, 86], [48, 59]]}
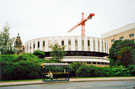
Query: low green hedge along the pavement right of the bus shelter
{"points": [[85, 70]]}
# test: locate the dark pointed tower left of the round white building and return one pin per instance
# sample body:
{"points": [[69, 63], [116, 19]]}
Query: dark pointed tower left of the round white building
{"points": [[18, 45]]}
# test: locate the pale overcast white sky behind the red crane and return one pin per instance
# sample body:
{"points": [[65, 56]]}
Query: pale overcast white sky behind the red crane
{"points": [[43, 18]]}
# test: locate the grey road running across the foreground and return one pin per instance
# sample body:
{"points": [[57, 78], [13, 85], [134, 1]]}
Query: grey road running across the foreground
{"points": [[80, 85]]}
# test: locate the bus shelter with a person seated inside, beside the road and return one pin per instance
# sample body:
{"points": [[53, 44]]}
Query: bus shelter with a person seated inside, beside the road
{"points": [[55, 72]]}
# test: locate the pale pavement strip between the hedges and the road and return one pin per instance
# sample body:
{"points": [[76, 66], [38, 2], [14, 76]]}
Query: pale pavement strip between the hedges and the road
{"points": [[33, 82]]}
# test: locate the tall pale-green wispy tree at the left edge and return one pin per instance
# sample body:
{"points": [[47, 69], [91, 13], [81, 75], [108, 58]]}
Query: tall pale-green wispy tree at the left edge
{"points": [[6, 43]]}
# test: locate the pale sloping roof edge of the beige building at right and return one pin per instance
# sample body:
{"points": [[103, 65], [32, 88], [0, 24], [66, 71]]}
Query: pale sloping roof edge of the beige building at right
{"points": [[119, 30]]}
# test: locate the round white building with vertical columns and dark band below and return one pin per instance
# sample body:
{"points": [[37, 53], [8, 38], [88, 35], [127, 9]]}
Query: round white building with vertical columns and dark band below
{"points": [[88, 50]]}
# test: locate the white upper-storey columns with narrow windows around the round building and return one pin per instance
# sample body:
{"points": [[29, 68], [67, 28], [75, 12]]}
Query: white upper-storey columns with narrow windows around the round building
{"points": [[70, 43]]}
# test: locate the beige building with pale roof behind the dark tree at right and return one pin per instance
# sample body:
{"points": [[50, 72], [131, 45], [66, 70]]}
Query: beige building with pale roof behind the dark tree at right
{"points": [[122, 33]]}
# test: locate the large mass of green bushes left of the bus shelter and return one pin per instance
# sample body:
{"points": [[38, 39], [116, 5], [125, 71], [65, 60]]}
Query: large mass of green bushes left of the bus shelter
{"points": [[25, 66]]}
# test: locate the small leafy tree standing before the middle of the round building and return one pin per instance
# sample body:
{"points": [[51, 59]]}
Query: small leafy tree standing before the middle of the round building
{"points": [[57, 52]]}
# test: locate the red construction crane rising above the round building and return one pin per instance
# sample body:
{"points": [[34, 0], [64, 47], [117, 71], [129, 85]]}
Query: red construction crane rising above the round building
{"points": [[82, 23]]}
